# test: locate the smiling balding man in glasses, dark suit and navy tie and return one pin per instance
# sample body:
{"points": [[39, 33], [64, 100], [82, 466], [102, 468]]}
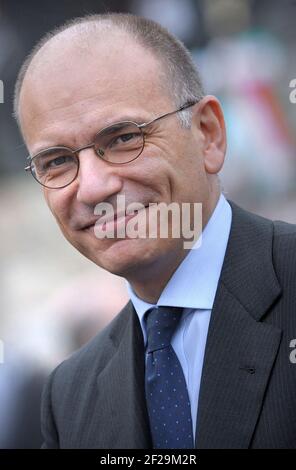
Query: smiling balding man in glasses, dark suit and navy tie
{"points": [[111, 106]]}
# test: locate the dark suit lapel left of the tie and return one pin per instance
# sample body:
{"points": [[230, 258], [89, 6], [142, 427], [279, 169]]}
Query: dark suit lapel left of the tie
{"points": [[121, 387]]}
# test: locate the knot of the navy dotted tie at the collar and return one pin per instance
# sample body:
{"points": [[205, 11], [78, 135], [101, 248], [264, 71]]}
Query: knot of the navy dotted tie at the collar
{"points": [[161, 323]]}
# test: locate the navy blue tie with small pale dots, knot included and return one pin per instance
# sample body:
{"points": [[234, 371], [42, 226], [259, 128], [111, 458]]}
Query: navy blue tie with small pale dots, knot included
{"points": [[166, 392]]}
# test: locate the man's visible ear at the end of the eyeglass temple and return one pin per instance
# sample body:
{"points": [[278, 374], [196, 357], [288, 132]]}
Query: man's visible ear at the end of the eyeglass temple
{"points": [[210, 120]]}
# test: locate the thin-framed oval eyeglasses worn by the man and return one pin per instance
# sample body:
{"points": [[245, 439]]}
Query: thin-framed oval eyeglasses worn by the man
{"points": [[119, 143]]}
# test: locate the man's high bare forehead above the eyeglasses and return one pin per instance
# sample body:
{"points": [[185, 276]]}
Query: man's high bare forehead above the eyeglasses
{"points": [[73, 87]]}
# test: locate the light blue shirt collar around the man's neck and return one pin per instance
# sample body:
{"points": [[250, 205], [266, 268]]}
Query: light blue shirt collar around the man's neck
{"points": [[193, 285]]}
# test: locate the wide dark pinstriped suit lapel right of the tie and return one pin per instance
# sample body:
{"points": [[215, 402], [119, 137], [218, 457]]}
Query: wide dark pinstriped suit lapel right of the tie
{"points": [[240, 350]]}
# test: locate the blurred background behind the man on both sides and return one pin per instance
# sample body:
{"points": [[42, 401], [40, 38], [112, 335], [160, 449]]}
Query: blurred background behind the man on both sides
{"points": [[52, 299]]}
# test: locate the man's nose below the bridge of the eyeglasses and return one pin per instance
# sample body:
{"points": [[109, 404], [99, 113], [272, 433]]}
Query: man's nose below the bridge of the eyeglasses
{"points": [[97, 180]]}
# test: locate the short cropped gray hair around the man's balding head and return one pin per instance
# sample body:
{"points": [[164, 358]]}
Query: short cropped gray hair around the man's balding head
{"points": [[183, 80]]}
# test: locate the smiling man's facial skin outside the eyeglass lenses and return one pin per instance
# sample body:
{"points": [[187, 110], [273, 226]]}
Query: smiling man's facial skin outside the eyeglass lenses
{"points": [[66, 99]]}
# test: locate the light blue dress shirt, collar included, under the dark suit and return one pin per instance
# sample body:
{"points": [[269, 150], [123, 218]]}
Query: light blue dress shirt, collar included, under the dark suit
{"points": [[193, 287]]}
